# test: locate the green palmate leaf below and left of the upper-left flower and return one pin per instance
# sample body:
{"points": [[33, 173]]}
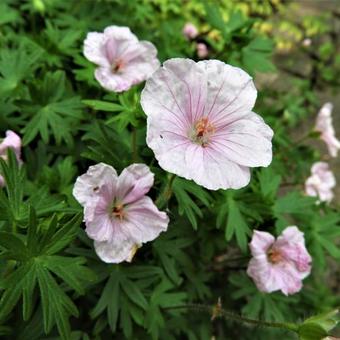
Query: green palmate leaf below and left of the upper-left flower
{"points": [[53, 111]]}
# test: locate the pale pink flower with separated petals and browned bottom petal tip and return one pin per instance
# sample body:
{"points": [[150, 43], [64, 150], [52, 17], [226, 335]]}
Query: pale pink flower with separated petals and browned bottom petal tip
{"points": [[118, 216]]}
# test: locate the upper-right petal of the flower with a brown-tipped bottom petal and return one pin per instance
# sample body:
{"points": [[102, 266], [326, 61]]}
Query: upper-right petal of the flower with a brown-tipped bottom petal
{"points": [[134, 182]]}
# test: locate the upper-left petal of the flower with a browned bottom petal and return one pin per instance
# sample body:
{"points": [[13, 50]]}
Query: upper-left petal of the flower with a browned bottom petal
{"points": [[87, 185]]}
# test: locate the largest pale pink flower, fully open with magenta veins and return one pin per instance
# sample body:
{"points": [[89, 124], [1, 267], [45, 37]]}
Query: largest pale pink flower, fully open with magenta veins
{"points": [[200, 124]]}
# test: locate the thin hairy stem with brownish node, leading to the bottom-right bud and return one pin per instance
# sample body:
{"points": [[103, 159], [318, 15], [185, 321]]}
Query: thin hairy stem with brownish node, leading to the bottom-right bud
{"points": [[217, 311]]}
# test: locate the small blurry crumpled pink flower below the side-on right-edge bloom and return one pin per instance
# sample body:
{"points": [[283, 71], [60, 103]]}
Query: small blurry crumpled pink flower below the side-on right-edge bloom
{"points": [[321, 182]]}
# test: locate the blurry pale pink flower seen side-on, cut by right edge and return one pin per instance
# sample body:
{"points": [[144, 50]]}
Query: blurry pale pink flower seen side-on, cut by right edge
{"points": [[325, 126]]}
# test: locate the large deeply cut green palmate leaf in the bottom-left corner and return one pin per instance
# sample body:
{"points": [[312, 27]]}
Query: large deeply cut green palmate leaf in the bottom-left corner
{"points": [[38, 268]]}
